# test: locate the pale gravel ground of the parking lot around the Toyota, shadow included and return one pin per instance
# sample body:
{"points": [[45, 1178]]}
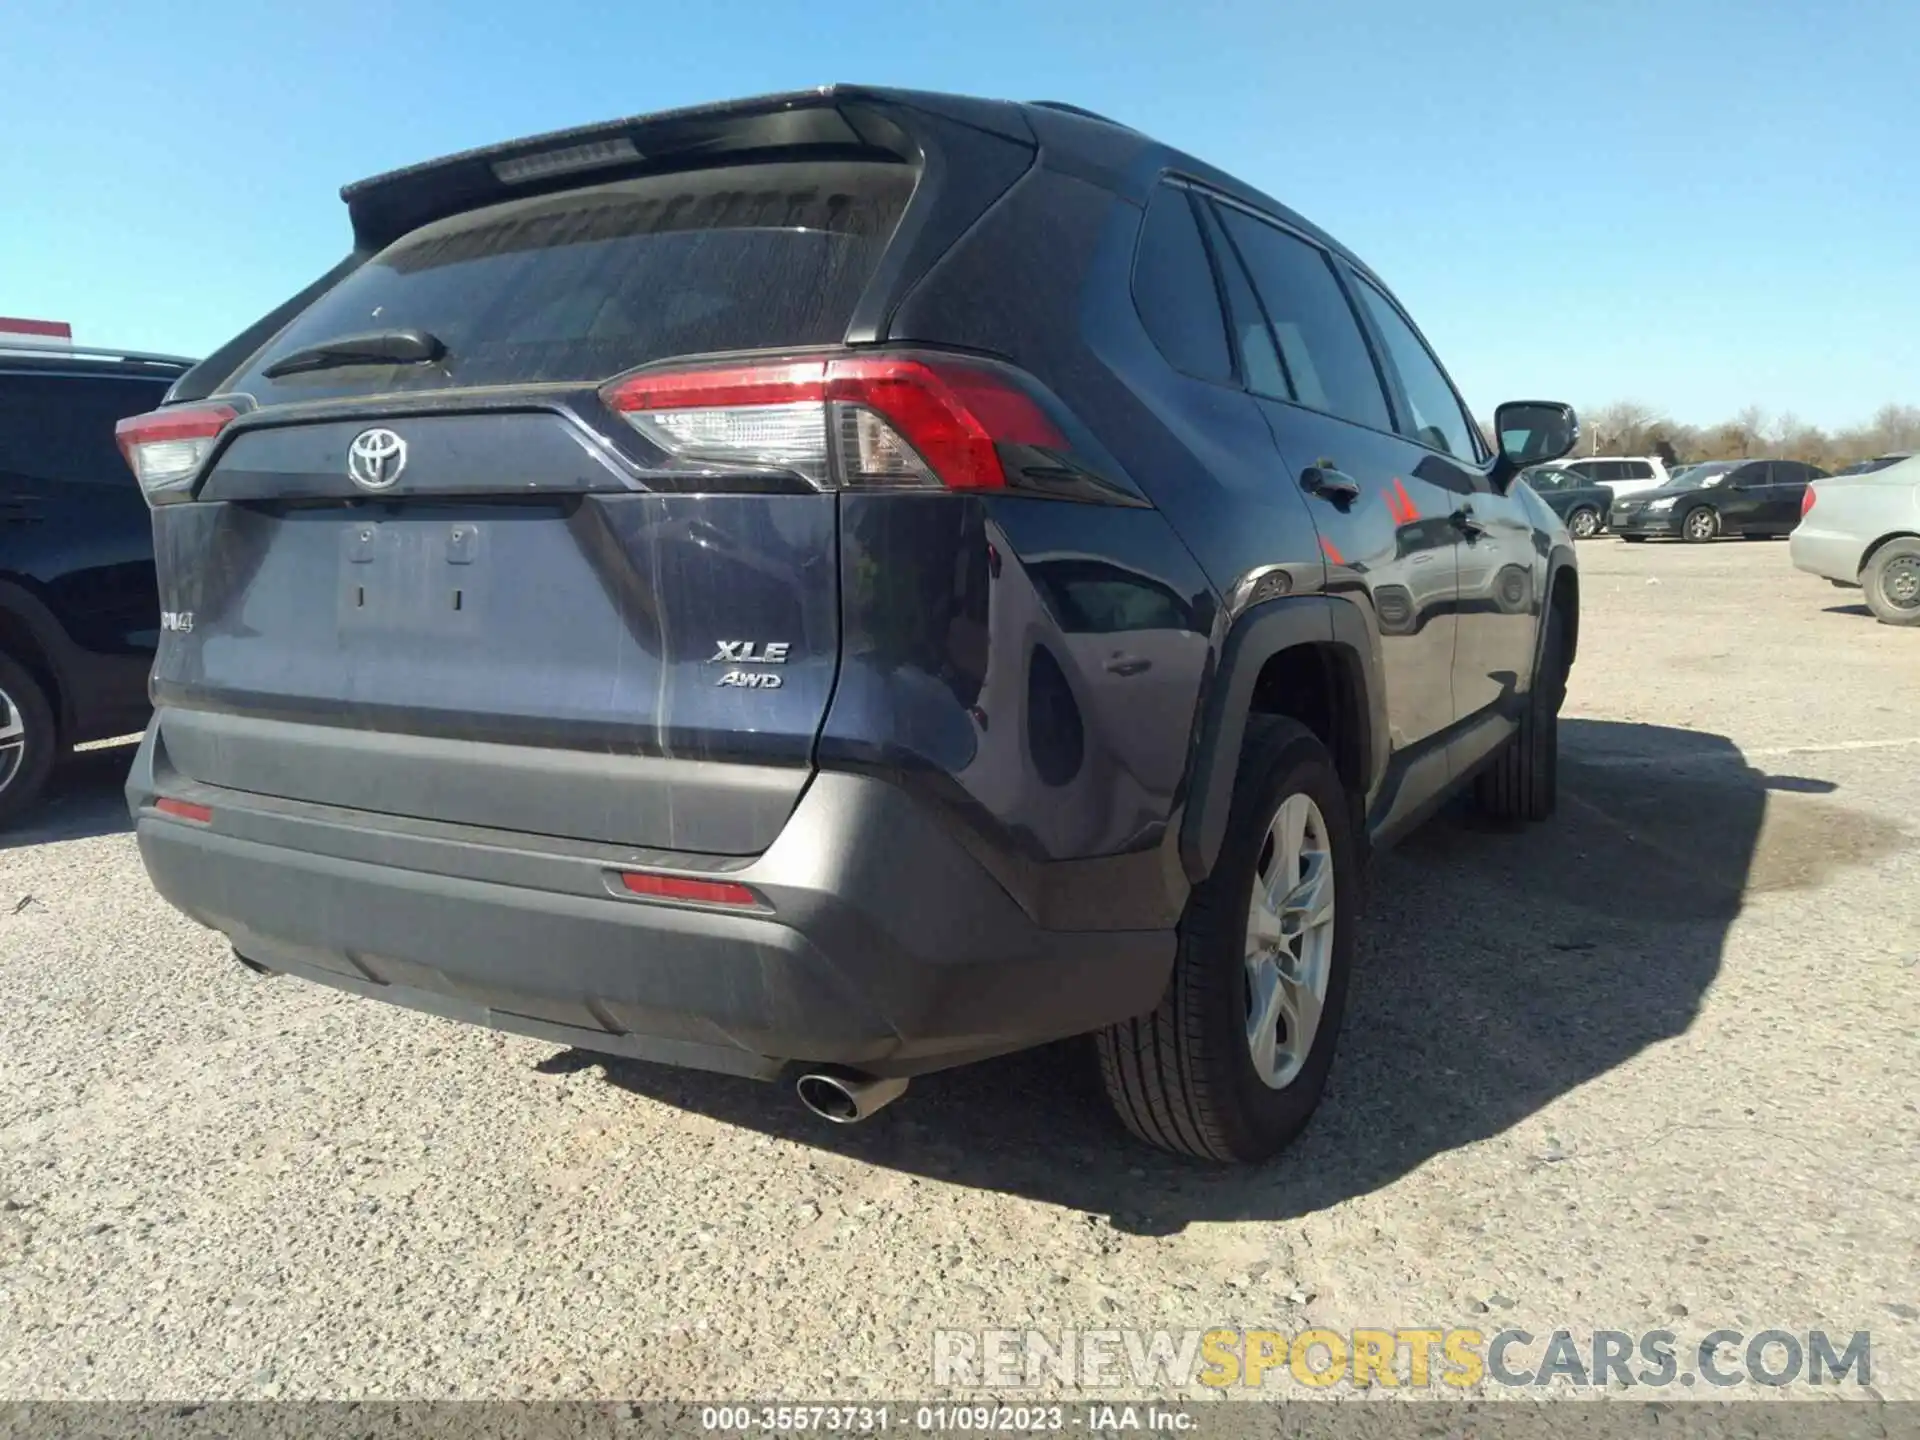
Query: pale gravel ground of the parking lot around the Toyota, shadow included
{"points": [[1648, 1067]]}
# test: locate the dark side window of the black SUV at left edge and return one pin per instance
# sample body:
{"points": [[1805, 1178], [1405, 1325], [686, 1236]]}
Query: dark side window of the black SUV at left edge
{"points": [[60, 427]]}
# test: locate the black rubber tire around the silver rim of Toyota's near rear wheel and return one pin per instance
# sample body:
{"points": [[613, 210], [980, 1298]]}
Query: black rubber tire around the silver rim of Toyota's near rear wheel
{"points": [[1184, 1078]]}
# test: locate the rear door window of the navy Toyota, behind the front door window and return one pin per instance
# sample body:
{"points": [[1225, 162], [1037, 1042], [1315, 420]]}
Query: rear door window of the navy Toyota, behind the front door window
{"points": [[1324, 354]]}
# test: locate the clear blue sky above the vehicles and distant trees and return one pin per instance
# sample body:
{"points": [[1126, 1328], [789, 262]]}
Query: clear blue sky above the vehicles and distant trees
{"points": [[1698, 204]]}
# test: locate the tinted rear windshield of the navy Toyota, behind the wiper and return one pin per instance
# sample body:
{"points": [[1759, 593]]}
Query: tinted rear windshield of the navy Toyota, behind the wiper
{"points": [[596, 281]]}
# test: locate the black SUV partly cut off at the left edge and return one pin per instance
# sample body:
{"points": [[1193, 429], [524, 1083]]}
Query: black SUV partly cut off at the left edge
{"points": [[80, 615]]}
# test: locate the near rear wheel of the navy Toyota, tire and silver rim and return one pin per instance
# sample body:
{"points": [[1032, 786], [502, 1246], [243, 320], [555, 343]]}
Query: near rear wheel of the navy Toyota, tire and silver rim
{"points": [[1236, 1059]]}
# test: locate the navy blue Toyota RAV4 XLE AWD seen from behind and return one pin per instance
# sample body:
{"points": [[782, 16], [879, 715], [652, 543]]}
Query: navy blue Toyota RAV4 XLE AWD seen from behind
{"points": [[842, 585]]}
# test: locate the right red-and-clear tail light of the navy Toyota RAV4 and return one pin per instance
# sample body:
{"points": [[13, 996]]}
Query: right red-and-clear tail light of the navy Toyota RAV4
{"points": [[859, 421]]}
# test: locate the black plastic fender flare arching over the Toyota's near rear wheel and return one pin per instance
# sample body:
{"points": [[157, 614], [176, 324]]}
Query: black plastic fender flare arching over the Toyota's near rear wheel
{"points": [[1226, 706]]}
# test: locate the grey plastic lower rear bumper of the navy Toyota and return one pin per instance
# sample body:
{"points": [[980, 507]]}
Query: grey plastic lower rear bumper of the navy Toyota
{"points": [[878, 940]]}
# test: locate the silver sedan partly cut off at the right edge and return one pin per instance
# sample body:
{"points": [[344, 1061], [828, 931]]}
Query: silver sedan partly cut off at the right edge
{"points": [[1865, 531]]}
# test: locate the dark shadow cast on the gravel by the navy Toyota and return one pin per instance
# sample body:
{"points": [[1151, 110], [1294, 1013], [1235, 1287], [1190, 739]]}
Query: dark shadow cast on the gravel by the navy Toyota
{"points": [[1500, 971]]}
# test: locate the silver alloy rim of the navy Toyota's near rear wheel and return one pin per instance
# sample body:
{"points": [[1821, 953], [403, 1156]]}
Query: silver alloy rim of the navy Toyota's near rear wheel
{"points": [[1289, 942]]}
